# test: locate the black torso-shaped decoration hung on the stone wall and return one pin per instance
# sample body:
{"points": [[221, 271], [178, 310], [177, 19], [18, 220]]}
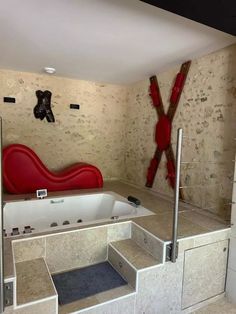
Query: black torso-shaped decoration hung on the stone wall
{"points": [[43, 107]]}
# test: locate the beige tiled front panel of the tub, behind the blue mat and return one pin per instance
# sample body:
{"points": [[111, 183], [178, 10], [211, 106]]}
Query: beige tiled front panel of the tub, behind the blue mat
{"points": [[73, 249]]}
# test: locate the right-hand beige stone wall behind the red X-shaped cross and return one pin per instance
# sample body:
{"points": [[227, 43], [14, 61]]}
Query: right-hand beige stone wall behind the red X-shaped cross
{"points": [[207, 114]]}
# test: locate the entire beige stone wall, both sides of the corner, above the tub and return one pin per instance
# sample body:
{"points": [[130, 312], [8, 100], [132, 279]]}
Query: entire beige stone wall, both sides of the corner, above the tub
{"points": [[114, 128]]}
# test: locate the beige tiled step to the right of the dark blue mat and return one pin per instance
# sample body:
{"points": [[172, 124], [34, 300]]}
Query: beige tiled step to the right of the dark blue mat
{"points": [[128, 257]]}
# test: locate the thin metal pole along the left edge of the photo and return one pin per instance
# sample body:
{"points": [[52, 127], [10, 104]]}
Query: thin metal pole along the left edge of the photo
{"points": [[2, 297]]}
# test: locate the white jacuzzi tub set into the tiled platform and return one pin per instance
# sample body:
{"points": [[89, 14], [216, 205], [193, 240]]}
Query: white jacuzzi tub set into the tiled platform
{"points": [[52, 213]]}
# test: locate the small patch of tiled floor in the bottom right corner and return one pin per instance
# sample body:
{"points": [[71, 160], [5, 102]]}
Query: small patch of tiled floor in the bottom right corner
{"points": [[220, 307]]}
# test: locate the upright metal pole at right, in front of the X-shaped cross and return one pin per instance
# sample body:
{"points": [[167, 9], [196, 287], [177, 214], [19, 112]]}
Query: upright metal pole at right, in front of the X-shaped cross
{"points": [[176, 199]]}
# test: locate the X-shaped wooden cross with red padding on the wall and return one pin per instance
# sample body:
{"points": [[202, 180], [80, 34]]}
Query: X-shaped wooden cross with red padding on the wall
{"points": [[164, 125]]}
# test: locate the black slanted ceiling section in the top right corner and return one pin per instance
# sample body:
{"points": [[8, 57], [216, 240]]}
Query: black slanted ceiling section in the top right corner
{"points": [[219, 14]]}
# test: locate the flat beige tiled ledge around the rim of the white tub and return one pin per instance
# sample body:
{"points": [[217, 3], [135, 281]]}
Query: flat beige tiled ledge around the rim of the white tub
{"points": [[193, 221]]}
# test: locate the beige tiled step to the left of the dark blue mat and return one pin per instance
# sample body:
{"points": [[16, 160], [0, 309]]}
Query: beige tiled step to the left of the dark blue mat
{"points": [[33, 282]]}
